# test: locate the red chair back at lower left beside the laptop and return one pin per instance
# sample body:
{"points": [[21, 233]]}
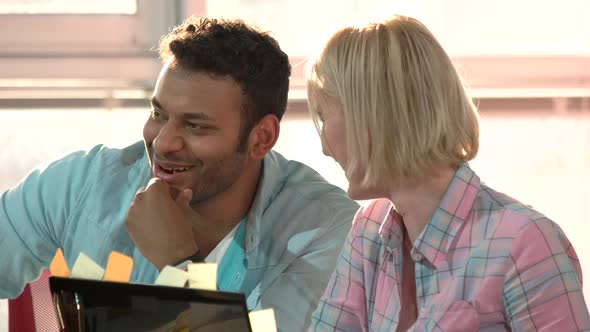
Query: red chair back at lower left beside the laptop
{"points": [[33, 310]]}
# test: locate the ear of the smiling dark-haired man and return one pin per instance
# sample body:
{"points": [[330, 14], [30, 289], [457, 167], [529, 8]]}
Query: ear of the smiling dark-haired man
{"points": [[263, 136]]}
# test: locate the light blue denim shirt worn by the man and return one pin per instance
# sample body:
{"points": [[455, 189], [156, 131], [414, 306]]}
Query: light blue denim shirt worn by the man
{"points": [[293, 232]]}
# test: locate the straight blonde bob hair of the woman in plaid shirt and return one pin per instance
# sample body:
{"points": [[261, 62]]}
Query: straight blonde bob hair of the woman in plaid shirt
{"points": [[404, 105]]}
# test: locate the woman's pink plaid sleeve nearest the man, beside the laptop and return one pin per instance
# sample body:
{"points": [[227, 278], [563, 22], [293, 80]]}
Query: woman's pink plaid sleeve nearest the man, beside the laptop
{"points": [[343, 305]]}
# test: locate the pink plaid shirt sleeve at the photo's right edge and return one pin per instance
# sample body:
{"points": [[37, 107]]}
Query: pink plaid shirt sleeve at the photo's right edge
{"points": [[543, 288]]}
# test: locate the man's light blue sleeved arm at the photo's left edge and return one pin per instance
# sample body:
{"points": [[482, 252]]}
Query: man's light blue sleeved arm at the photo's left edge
{"points": [[32, 219]]}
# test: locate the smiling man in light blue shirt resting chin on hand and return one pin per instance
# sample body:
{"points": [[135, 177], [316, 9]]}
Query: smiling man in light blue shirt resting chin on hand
{"points": [[217, 190]]}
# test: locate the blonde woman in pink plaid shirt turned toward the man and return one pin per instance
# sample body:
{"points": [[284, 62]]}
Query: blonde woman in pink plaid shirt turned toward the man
{"points": [[450, 253]]}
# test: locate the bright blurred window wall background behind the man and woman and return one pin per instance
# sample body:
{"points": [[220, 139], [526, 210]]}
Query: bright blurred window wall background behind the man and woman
{"points": [[74, 73]]}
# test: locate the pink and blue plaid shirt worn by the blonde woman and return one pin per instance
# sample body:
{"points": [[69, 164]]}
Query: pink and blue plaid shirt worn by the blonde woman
{"points": [[483, 262]]}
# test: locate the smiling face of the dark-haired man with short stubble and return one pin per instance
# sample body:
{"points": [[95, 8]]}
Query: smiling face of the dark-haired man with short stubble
{"points": [[192, 134]]}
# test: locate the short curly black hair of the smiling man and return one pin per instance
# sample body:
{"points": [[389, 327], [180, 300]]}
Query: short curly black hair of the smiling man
{"points": [[230, 47]]}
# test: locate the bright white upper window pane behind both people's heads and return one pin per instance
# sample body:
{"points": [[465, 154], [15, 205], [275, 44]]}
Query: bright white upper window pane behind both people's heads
{"points": [[464, 27]]}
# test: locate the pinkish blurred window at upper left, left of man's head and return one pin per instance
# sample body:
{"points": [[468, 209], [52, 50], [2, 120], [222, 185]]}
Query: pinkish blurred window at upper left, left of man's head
{"points": [[81, 39]]}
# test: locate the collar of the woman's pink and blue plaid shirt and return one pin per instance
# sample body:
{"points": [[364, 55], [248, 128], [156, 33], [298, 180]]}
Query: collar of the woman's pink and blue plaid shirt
{"points": [[434, 241]]}
